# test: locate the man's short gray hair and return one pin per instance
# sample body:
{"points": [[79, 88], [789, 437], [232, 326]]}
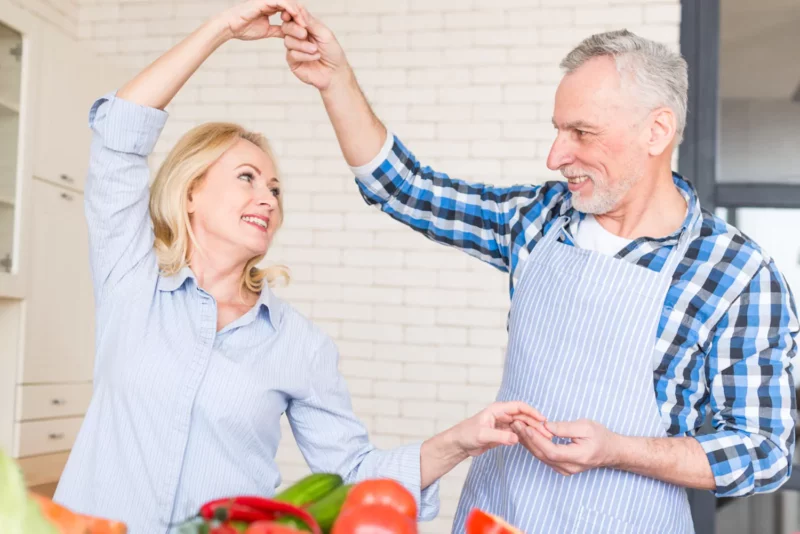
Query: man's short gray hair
{"points": [[661, 75]]}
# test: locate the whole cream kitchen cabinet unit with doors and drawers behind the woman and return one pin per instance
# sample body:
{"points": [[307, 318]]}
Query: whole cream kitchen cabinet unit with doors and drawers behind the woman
{"points": [[46, 302]]}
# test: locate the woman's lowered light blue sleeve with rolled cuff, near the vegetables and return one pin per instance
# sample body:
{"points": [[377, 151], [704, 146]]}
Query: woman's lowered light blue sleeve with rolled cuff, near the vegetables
{"points": [[332, 439]]}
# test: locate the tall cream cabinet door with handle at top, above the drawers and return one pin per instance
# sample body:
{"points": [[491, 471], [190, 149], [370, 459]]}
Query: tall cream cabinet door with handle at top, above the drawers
{"points": [[60, 313]]}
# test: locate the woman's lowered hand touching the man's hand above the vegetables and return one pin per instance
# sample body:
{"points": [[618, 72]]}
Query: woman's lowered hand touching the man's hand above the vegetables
{"points": [[492, 426]]}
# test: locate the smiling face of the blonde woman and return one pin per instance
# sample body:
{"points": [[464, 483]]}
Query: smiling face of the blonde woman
{"points": [[234, 209]]}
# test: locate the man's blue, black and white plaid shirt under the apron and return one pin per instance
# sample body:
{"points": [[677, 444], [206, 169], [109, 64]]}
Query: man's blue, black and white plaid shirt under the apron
{"points": [[727, 335]]}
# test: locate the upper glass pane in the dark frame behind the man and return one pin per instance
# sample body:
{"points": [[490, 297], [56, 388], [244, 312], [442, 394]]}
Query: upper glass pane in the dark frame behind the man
{"points": [[759, 91]]}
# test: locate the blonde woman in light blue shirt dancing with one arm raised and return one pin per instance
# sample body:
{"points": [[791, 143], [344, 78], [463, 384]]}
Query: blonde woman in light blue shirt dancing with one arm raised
{"points": [[196, 359]]}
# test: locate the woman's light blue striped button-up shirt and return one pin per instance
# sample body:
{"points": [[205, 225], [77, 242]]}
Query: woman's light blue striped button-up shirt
{"points": [[182, 414]]}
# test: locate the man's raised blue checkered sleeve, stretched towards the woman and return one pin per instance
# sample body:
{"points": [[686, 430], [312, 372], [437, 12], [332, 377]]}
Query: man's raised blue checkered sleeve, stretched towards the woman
{"points": [[480, 219]]}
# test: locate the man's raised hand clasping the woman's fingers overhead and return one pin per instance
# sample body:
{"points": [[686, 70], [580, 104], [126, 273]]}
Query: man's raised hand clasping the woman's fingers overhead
{"points": [[312, 51]]}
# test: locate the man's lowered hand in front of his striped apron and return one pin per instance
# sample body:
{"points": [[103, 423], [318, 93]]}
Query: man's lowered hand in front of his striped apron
{"points": [[592, 445]]}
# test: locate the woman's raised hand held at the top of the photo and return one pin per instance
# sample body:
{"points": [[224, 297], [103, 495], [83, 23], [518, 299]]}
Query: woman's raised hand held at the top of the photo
{"points": [[250, 20]]}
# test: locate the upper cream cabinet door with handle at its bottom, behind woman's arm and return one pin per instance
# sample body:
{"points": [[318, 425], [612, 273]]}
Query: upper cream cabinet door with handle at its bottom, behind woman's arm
{"points": [[71, 79]]}
